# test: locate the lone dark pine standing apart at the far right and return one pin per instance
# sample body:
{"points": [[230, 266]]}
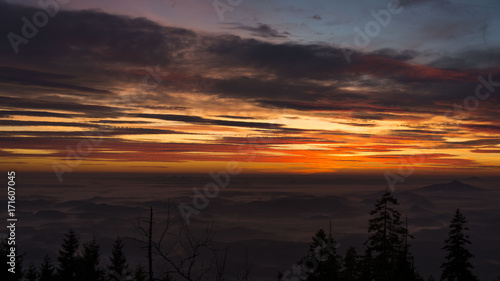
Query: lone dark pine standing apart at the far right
{"points": [[457, 266]]}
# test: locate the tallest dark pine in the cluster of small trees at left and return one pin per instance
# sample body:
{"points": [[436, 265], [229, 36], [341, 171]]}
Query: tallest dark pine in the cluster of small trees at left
{"points": [[68, 257]]}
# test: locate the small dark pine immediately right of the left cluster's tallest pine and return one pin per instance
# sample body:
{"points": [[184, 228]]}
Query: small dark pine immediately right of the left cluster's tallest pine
{"points": [[89, 263]]}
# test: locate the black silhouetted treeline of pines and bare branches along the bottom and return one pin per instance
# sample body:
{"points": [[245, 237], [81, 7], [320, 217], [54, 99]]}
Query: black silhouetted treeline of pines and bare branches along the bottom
{"points": [[186, 255]]}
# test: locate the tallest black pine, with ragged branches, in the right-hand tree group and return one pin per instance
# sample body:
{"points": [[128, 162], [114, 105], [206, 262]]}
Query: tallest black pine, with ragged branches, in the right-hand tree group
{"points": [[387, 243]]}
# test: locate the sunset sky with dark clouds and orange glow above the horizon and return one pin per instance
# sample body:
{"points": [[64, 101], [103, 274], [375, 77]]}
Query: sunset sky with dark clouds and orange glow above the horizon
{"points": [[275, 86]]}
